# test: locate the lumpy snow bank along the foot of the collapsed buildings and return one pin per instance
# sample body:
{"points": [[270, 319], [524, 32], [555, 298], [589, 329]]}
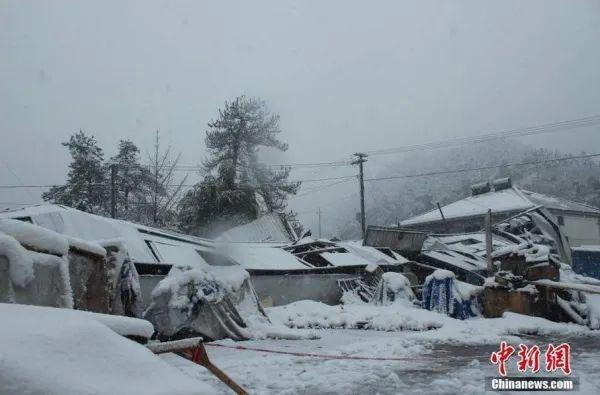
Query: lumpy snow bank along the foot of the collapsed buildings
{"points": [[421, 324]]}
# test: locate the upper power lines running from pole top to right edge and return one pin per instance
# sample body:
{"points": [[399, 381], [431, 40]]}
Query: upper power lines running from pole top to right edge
{"points": [[521, 132]]}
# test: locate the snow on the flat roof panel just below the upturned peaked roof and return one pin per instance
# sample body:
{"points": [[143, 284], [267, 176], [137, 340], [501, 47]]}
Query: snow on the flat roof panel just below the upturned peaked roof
{"points": [[256, 256]]}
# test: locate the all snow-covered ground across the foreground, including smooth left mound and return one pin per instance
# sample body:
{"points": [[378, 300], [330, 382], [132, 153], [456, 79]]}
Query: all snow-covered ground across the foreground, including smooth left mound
{"points": [[46, 350]]}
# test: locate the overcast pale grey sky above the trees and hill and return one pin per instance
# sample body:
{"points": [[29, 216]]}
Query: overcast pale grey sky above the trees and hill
{"points": [[344, 75]]}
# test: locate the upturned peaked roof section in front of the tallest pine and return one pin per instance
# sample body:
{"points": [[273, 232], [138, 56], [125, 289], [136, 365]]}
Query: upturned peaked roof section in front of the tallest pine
{"points": [[268, 228]]}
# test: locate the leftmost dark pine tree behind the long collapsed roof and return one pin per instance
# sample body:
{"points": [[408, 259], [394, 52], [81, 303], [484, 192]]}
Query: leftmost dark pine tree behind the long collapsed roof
{"points": [[86, 187]]}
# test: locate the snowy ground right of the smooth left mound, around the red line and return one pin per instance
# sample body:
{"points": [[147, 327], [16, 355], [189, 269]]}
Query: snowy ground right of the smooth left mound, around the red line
{"points": [[451, 359]]}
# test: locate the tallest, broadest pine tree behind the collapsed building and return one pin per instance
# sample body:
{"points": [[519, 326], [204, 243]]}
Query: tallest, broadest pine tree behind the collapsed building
{"points": [[237, 186]]}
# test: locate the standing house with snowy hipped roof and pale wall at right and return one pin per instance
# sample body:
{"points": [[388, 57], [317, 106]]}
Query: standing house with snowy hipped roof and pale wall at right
{"points": [[579, 223]]}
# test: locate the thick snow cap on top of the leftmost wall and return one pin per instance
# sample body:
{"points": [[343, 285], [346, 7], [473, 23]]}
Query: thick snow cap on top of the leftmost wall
{"points": [[35, 237]]}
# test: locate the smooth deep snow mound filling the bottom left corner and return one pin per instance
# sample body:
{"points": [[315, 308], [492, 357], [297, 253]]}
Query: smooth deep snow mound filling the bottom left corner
{"points": [[57, 351]]}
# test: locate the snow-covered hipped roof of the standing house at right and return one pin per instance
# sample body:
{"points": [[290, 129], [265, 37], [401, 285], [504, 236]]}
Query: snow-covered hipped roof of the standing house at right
{"points": [[506, 200]]}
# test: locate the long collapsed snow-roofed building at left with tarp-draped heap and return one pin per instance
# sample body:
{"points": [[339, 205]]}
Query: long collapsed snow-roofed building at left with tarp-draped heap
{"points": [[185, 284]]}
